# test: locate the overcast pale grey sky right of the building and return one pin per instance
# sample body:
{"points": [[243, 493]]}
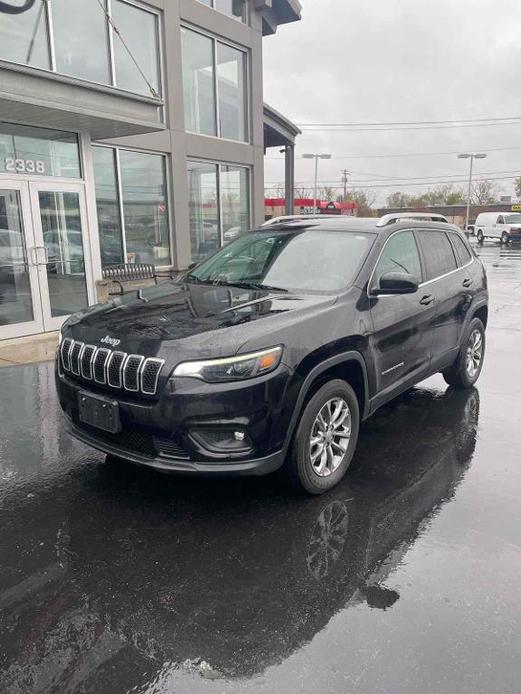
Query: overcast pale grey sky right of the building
{"points": [[353, 61]]}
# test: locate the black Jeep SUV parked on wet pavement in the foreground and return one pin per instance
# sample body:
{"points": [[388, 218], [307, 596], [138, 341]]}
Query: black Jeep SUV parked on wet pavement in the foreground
{"points": [[270, 352]]}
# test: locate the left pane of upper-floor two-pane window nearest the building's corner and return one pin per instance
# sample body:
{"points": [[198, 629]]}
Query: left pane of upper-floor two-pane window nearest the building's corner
{"points": [[198, 83]]}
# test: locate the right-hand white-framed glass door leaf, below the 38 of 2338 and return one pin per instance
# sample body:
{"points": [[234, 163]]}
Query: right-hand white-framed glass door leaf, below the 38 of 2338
{"points": [[60, 231]]}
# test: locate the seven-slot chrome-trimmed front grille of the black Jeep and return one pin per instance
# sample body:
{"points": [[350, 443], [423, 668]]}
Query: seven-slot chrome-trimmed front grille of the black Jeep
{"points": [[131, 372]]}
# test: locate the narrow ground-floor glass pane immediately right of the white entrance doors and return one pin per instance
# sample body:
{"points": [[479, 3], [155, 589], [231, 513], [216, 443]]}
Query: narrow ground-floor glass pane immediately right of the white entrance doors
{"points": [[107, 204]]}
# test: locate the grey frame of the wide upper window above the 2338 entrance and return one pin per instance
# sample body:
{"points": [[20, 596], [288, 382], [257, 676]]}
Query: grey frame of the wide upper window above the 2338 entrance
{"points": [[109, 47]]}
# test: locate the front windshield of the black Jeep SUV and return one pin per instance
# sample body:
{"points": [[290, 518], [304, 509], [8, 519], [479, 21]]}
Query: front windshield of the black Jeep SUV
{"points": [[308, 260]]}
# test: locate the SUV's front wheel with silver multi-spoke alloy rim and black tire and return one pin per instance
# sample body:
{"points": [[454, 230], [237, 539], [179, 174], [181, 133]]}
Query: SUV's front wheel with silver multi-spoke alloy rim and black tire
{"points": [[325, 440]]}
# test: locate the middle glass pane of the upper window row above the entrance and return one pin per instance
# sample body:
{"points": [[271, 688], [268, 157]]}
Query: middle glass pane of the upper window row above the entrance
{"points": [[80, 40]]}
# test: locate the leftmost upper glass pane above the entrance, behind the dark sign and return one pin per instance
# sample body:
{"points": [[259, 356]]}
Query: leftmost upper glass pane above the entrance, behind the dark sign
{"points": [[24, 37]]}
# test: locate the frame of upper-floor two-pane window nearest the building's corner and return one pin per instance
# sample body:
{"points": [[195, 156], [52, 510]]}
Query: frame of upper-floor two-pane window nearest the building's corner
{"points": [[246, 89]]}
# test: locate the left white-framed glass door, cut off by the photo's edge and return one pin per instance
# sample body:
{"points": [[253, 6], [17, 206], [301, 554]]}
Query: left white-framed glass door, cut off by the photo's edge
{"points": [[20, 307]]}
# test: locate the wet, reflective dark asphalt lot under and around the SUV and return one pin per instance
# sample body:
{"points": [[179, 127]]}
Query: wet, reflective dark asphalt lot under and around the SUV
{"points": [[405, 579]]}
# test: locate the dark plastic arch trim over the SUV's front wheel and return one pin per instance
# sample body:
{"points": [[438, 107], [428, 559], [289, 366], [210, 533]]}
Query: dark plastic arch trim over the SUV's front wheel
{"points": [[348, 366]]}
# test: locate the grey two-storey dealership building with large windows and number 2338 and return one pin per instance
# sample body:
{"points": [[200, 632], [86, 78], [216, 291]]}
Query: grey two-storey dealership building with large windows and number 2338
{"points": [[130, 132]]}
